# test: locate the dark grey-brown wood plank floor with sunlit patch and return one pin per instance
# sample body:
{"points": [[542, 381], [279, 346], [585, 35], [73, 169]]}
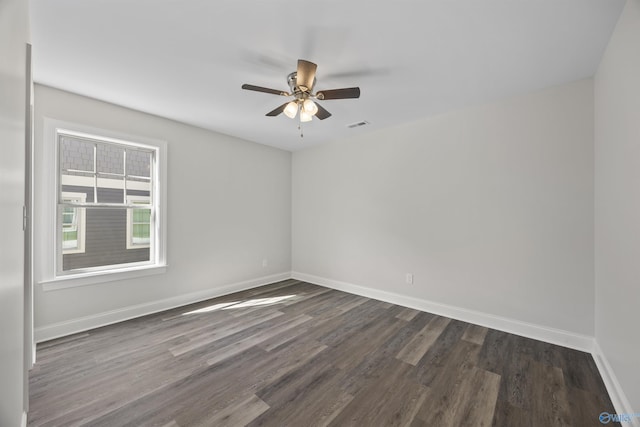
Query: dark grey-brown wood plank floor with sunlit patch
{"points": [[296, 354]]}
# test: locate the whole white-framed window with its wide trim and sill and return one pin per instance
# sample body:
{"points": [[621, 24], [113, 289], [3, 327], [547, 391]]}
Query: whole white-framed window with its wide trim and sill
{"points": [[106, 207]]}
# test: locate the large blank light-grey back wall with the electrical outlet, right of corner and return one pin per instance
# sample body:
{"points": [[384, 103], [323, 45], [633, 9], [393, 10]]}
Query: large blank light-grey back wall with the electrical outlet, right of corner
{"points": [[491, 209]]}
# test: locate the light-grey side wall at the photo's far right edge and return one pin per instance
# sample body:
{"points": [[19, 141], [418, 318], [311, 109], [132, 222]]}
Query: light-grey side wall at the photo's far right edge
{"points": [[617, 203]]}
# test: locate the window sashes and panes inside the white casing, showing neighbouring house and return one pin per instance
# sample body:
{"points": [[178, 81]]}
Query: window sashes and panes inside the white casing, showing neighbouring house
{"points": [[115, 180]]}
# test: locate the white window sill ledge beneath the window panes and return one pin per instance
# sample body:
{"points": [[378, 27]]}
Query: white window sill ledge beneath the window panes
{"points": [[95, 278]]}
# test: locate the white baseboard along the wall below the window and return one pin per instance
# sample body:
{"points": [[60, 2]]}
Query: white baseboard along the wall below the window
{"points": [[60, 329]]}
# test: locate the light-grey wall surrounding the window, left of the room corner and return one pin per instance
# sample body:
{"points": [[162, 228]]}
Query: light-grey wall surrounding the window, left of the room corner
{"points": [[229, 207]]}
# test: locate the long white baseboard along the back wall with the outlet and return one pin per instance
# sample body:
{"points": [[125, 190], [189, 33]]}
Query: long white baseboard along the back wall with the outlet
{"points": [[529, 330]]}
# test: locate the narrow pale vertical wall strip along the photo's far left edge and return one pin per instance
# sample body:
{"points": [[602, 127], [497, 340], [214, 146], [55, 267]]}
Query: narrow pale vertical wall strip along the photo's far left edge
{"points": [[13, 39]]}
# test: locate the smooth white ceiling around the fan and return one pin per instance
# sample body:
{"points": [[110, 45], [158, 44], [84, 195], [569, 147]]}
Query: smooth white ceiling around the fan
{"points": [[186, 59]]}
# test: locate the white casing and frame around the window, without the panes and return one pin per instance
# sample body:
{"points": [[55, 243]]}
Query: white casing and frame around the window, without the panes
{"points": [[47, 270]]}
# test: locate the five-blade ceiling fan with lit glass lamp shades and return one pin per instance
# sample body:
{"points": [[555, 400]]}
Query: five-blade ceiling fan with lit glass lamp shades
{"points": [[301, 83]]}
